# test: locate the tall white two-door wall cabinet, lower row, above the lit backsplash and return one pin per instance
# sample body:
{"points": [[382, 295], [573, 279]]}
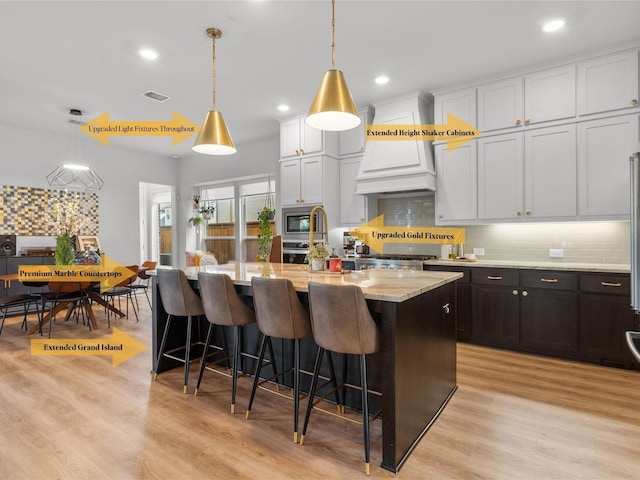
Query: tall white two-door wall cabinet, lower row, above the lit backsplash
{"points": [[529, 176]]}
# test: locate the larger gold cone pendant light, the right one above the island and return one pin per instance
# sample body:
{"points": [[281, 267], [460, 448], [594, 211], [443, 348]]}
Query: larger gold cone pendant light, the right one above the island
{"points": [[333, 108]]}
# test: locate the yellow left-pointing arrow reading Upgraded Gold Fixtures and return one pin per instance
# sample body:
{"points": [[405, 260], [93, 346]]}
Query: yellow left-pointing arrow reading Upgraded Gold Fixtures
{"points": [[374, 234]]}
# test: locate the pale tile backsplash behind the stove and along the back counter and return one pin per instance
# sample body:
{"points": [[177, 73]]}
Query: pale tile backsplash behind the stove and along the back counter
{"points": [[580, 242]]}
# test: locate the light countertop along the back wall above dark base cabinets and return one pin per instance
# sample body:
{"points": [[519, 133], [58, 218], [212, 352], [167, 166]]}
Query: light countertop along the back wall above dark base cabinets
{"points": [[578, 267]]}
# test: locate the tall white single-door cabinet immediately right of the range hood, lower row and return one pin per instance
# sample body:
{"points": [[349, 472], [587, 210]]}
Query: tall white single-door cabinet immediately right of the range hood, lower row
{"points": [[456, 190]]}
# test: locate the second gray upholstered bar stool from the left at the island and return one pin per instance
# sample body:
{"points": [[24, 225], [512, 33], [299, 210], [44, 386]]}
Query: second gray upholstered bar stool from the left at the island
{"points": [[223, 306]]}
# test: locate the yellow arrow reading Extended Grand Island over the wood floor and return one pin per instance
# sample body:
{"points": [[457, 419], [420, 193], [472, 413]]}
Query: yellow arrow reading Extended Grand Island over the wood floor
{"points": [[121, 346]]}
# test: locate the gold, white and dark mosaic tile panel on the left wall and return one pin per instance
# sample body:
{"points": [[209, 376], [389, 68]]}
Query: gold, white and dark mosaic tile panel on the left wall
{"points": [[22, 210]]}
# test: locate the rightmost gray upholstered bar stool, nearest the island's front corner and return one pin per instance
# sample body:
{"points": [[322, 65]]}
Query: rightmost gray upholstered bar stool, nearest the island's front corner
{"points": [[342, 324]]}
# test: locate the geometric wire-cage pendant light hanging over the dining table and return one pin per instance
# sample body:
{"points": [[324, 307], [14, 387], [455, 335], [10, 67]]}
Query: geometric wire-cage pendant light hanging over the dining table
{"points": [[73, 175]]}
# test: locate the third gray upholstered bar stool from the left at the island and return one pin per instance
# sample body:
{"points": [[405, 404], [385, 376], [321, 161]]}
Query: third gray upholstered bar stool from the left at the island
{"points": [[279, 314]]}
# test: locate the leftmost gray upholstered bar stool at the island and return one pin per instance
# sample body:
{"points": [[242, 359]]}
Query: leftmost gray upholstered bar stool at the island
{"points": [[179, 300]]}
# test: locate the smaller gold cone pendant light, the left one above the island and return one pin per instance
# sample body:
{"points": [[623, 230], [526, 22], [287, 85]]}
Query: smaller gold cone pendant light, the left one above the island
{"points": [[214, 137]]}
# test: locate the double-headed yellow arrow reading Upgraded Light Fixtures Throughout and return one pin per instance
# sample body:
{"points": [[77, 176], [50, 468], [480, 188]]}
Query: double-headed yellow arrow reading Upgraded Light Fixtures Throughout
{"points": [[102, 129]]}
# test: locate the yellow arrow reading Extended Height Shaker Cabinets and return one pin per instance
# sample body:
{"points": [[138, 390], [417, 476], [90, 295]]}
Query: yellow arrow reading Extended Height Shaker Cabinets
{"points": [[456, 132]]}
